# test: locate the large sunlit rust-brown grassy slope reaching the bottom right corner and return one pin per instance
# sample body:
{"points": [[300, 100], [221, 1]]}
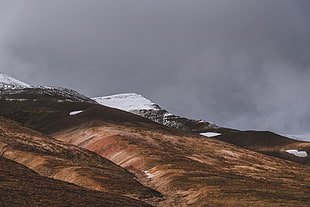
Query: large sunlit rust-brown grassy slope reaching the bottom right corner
{"points": [[196, 171]]}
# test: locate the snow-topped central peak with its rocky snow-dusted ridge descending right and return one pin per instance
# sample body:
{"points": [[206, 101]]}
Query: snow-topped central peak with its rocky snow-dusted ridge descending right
{"points": [[139, 105]]}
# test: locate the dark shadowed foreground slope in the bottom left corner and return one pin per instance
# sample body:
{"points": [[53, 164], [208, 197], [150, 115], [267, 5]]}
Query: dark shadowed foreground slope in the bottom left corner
{"points": [[21, 187]]}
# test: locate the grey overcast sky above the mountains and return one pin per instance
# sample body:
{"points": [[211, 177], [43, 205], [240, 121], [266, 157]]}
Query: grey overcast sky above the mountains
{"points": [[239, 63]]}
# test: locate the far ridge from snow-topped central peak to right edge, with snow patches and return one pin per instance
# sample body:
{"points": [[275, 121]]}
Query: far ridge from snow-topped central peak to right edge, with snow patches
{"points": [[263, 142]]}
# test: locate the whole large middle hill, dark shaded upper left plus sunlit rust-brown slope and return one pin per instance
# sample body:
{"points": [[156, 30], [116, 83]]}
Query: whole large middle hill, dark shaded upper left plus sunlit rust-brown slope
{"points": [[189, 170]]}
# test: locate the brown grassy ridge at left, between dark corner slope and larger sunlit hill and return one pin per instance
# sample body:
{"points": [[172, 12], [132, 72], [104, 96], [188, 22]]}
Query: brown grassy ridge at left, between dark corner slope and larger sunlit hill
{"points": [[54, 159]]}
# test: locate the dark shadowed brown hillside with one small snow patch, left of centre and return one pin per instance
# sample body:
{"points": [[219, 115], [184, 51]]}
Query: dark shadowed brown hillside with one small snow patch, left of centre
{"points": [[49, 115]]}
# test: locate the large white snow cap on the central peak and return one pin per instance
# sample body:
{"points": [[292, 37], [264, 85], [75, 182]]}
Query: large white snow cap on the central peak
{"points": [[127, 102]]}
